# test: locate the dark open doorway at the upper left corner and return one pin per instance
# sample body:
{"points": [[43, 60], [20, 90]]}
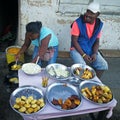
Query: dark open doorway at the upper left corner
{"points": [[8, 23]]}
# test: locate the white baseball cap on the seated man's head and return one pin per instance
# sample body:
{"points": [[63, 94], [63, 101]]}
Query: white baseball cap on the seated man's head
{"points": [[94, 7]]}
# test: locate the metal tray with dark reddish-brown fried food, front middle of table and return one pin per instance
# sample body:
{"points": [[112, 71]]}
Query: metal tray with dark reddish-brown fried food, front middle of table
{"points": [[63, 96]]}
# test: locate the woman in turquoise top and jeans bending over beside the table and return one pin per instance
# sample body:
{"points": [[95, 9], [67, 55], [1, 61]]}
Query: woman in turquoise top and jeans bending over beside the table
{"points": [[43, 39]]}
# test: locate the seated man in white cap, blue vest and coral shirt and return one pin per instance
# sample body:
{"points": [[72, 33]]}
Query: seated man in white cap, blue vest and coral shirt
{"points": [[85, 35]]}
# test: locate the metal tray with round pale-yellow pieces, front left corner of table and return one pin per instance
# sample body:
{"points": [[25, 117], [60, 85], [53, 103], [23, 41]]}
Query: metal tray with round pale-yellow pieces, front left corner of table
{"points": [[27, 100]]}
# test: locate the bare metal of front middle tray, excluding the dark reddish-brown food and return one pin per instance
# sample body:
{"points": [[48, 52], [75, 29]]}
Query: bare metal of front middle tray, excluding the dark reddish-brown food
{"points": [[61, 90]]}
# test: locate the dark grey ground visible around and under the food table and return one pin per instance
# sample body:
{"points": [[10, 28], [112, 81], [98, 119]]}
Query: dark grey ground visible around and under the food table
{"points": [[110, 78]]}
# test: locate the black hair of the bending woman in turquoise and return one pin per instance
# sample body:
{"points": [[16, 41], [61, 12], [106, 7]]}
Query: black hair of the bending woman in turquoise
{"points": [[34, 27]]}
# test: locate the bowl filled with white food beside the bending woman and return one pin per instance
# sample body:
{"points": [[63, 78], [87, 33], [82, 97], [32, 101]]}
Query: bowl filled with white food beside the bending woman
{"points": [[31, 68]]}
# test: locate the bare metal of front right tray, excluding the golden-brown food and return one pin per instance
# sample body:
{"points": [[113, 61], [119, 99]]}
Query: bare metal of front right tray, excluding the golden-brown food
{"points": [[89, 84]]}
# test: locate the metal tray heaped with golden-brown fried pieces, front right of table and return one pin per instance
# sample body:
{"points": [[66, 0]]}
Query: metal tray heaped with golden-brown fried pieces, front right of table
{"points": [[95, 92]]}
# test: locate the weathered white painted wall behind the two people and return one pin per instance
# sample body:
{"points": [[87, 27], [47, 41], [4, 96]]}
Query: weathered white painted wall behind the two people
{"points": [[59, 14]]}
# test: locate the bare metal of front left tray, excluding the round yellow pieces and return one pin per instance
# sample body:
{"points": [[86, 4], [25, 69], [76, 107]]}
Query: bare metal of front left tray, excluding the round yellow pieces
{"points": [[26, 91]]}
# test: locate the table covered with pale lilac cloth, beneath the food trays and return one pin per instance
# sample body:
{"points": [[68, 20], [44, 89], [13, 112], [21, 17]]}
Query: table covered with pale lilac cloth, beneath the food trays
{"points": [[49, 112]]}
